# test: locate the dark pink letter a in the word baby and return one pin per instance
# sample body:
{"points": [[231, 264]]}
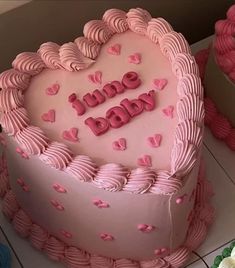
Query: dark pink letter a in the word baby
{"points": [[117, 117]]}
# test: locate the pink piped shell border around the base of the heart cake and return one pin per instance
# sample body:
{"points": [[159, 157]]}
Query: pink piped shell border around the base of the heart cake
{"points": [[203, 214]]}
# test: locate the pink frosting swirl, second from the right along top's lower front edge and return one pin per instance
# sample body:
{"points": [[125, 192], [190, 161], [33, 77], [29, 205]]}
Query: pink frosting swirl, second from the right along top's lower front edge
{"points": [[140, 180]]}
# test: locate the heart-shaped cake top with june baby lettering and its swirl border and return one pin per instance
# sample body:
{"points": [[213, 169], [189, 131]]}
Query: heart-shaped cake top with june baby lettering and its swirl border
{"points": [[124, 99]]}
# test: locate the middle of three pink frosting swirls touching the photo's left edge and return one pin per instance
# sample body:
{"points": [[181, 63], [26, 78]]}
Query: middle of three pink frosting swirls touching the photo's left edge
{"points": [[10, 99]]}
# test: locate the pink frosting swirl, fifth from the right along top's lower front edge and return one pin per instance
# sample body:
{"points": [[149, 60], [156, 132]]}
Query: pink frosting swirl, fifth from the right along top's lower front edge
{"points": [[57, 155]]}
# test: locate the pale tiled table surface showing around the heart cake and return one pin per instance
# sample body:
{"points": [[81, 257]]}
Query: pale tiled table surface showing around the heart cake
{"points": [[220, 164]]}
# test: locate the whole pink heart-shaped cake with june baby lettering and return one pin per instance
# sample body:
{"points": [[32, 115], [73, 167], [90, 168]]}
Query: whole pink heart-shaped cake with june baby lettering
{"points": [[102, 144]]}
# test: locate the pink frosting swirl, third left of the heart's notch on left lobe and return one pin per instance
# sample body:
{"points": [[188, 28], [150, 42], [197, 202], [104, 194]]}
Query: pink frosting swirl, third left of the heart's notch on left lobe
{"points": [[28, 62]]}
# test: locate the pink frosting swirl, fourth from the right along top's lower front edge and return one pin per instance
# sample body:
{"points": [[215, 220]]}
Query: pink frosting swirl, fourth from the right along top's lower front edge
{"points": [[82, 168]]}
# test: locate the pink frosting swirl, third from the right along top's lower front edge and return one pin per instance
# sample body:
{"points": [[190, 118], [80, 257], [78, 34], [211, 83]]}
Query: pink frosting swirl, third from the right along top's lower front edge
{"points": [[111, 177]]}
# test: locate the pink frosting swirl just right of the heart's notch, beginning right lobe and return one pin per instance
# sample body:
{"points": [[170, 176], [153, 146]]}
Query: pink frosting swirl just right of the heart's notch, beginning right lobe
{"points": [[88, 48]]}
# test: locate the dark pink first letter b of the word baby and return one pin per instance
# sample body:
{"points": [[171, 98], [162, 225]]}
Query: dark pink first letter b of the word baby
{"points": [[98, 126]]}
